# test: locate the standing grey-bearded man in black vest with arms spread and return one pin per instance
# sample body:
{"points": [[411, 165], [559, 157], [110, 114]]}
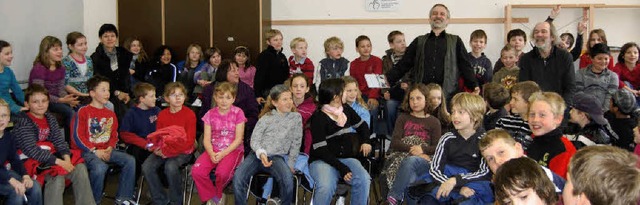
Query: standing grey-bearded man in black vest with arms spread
{"points": [[437, 57]]}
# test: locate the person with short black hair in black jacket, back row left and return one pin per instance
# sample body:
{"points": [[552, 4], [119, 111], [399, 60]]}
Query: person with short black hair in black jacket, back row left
{"points": [[113, 62]]}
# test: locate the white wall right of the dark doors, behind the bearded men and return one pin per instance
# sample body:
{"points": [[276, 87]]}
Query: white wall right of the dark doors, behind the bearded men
{"points": [[618, 23]]}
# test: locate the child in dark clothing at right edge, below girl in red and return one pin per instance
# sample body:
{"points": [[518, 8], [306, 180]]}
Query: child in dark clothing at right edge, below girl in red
{"points": [[622, 105]]}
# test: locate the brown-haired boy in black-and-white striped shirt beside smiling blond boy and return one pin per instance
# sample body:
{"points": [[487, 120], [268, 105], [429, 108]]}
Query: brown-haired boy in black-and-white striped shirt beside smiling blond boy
{"points": [[519, 104]]}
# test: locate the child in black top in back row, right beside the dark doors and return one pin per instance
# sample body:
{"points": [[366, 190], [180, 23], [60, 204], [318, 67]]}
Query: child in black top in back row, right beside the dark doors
{"points": [[272, 67]]}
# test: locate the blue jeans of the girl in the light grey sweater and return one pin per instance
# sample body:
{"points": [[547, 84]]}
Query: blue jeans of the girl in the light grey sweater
{"points": [[251, 165]]}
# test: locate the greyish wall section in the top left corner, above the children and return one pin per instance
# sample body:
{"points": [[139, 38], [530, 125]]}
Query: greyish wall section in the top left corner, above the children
{"points": [[25, 22]]}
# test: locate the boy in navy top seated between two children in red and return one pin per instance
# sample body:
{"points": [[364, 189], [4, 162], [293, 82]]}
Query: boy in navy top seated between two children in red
{"points": [[139, 122]]}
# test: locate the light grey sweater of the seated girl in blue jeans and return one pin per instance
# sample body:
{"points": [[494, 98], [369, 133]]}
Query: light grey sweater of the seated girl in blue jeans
{"points": [[278, 134]]}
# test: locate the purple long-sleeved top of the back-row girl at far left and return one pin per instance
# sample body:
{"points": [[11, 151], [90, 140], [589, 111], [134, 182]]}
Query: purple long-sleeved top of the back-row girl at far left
{"points": [[53, 81]]}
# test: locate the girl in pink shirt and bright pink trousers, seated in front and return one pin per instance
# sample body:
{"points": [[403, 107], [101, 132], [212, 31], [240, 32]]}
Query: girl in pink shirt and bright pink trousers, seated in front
{"points": [[223, 133]]}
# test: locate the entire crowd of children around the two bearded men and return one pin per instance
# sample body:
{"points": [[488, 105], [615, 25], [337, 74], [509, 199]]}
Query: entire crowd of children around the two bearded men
{"points": [[316, 121]]}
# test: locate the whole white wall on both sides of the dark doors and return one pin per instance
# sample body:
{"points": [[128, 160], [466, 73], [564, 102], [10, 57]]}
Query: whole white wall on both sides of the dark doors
{"points": [[25, 22]]}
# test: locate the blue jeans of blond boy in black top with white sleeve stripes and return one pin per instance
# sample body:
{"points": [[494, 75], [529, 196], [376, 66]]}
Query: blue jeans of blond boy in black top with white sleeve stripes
{"points": [[483, 193]]}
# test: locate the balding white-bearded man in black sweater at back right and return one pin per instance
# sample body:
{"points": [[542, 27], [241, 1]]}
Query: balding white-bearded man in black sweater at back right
{"points": [[550, 67]]}
